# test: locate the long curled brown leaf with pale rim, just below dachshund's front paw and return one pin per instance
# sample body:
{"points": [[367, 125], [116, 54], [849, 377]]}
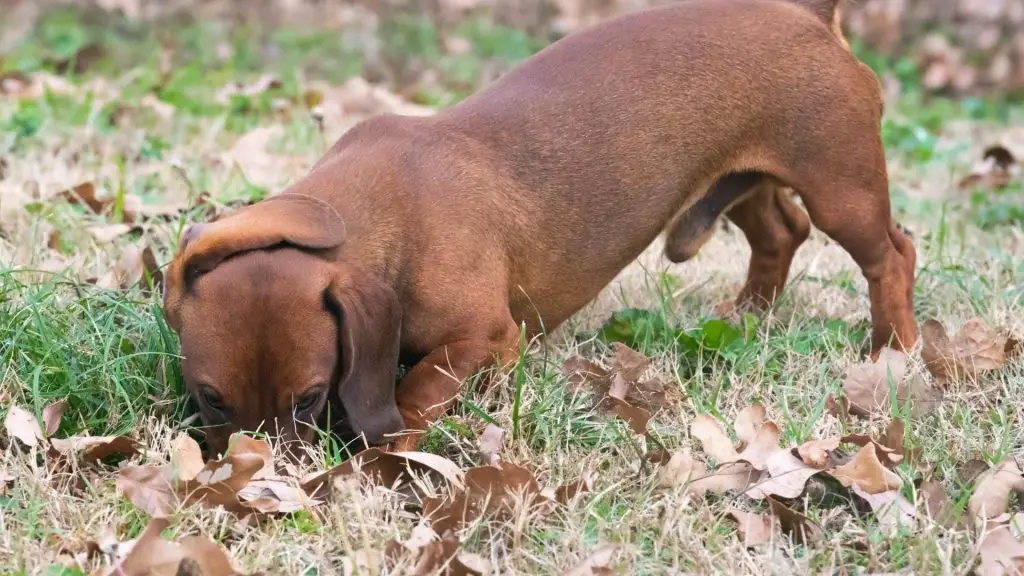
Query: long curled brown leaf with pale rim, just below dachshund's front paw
{"points": [[387, 469]]}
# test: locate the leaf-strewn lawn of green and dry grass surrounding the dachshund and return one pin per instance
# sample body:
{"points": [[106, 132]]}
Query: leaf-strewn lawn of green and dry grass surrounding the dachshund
{"points": [[113, 137]]}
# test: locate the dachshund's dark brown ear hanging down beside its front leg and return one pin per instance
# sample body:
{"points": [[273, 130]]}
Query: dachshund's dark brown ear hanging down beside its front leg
{"points": [[370, 334]]}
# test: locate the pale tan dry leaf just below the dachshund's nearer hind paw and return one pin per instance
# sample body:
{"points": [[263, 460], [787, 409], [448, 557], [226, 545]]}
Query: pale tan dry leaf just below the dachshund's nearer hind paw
{"points": [[868, 389]]}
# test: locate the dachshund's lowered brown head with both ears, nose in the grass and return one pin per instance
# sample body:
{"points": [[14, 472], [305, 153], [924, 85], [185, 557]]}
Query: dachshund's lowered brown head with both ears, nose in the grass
{"points": [[274, 331]]}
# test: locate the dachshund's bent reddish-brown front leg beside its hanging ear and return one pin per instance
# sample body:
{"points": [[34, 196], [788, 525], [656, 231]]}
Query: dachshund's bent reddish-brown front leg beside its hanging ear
{"points": [[434, 385]]}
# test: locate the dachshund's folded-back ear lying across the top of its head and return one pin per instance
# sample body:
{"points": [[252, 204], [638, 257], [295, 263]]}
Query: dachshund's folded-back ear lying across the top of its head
{"points": [[288, 219]]}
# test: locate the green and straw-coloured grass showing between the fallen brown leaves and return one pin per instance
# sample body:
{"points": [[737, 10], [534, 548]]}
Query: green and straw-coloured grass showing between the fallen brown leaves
{"points": [[112, 355]]}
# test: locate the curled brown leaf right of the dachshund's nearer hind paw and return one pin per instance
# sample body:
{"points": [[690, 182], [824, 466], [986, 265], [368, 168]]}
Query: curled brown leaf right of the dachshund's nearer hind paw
{"points": [[975, 350]]}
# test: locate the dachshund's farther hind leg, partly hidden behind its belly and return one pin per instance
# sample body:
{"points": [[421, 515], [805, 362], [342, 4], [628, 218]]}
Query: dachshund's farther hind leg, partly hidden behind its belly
{"points": [[776, 228]]}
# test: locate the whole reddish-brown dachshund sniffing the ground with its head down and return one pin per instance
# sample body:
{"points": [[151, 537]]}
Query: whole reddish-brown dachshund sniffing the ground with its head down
{"points": [[436, 238]]}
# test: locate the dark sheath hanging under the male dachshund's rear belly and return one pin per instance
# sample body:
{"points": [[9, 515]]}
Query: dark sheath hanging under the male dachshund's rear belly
{"points": [[691, 230]]}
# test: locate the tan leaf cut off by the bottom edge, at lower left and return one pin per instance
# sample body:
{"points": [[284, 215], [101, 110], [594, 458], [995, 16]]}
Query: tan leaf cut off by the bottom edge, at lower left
{"points": [[153, 556]]}
